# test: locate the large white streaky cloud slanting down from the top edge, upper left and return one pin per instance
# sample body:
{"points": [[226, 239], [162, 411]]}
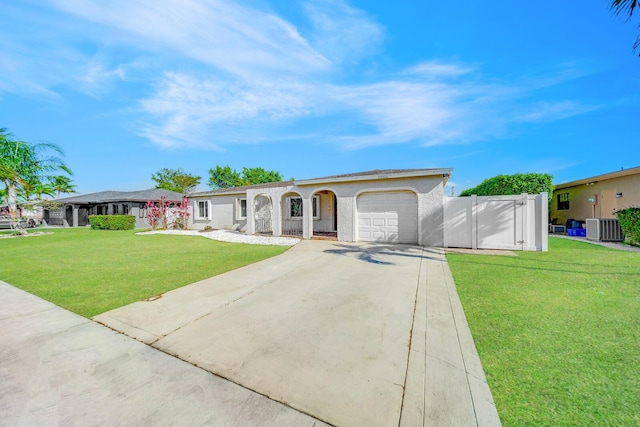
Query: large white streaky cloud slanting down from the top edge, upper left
{"points": [[219, 33]]}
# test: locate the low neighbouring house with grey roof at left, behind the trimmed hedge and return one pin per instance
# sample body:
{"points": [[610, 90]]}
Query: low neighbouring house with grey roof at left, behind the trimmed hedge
{"points": [[74, 211]]}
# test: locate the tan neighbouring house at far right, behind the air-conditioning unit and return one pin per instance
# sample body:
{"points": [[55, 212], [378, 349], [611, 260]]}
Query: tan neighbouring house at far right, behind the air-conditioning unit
{"points": [[596, 197]]}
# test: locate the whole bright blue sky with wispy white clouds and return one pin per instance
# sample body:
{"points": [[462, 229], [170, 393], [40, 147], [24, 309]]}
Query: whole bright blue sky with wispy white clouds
{"points": [[321, 87]]}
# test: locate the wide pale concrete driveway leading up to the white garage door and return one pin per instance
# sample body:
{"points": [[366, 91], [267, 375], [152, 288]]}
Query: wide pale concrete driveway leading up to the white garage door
{"points": [[337, 331]]}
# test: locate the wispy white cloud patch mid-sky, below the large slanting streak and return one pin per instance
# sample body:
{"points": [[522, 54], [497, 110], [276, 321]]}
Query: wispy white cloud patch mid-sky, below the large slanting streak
{"points": [[186, 108]]}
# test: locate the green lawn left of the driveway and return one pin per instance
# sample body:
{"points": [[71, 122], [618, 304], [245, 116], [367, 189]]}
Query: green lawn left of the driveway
{"points": [[93, 271]]}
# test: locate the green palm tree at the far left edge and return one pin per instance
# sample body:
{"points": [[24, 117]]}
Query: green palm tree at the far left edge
{"points": [[23, 164]]}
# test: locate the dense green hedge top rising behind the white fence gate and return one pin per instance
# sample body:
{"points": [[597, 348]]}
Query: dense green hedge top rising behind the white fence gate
{"points": [[504, 185]]}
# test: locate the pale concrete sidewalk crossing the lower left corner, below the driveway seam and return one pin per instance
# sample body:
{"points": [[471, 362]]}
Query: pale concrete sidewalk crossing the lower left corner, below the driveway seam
{"points": [[60, 369]]}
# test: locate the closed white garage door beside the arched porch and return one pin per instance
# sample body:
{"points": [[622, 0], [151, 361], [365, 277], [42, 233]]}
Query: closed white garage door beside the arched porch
{"points": [[388, 217]]}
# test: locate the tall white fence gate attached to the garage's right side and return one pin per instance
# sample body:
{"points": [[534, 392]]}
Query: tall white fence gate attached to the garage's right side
{"points": [[497, 222]]}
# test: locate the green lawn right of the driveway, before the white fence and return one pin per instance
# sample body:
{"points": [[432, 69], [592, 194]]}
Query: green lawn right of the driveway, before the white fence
{"points": [[558, 333]]}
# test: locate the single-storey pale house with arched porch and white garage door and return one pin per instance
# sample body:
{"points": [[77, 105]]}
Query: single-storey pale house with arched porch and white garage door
{"points": [[400, 206]]}
